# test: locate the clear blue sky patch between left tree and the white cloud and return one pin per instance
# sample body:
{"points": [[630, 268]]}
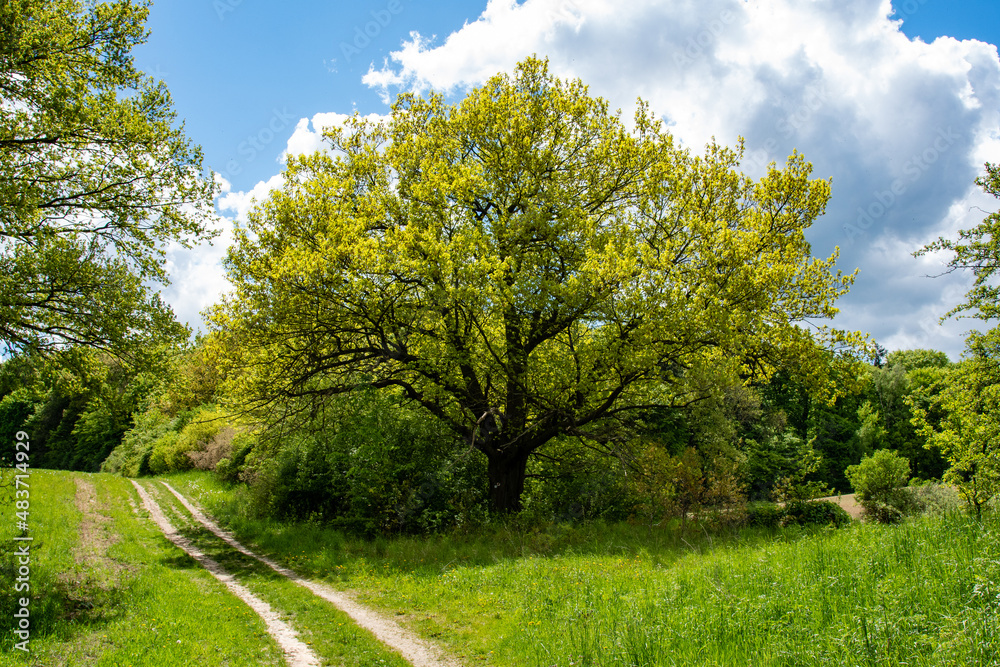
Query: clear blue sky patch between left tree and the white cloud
{"points": [[236, 67]]}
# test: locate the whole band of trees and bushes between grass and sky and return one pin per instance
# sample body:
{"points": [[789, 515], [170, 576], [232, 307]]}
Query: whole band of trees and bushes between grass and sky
{"points": [[515, 303]]}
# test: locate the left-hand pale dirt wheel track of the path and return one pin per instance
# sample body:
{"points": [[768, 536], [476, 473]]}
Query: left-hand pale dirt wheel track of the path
{"points": [[297, 653]]}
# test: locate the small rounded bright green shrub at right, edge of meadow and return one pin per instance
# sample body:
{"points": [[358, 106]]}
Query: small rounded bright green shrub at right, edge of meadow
{"points": [[879, 482]]}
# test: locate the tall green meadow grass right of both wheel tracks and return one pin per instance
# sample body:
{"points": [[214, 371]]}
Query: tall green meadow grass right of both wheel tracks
{"points": [[926, 592]]}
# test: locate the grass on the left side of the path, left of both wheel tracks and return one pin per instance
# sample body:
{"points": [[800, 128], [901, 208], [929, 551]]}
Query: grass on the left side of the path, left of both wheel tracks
{"points": [[145, 604]]}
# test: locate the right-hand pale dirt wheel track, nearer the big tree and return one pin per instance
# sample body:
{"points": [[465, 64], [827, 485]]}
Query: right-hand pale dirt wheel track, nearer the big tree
{"points": [[416, 650]]}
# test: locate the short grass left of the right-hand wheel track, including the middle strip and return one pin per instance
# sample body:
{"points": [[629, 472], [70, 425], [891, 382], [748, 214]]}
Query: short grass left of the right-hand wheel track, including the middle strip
{"points": [[107, 588]]}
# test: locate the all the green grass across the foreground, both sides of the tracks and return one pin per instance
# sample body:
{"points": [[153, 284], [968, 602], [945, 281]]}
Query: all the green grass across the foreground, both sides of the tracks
{"points": [[115, 592]]}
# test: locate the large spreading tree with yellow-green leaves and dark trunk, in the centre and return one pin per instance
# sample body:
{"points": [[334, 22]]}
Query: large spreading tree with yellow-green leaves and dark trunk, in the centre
{"points": [[522, 266]]}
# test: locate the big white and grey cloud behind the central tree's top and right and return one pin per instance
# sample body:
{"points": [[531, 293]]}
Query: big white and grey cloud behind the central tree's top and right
{"points": [[902, 127]]}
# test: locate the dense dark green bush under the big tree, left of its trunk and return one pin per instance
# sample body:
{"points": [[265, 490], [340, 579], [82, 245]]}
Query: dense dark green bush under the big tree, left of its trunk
{"points": [[369, 464]]}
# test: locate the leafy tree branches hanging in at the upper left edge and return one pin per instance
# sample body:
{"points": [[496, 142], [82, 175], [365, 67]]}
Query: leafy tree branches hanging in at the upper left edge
{"points": [[95, 179]]}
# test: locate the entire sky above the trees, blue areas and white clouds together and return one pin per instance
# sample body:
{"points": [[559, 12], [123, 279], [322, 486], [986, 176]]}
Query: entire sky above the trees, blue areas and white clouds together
{"points": [[902, 126]]}
